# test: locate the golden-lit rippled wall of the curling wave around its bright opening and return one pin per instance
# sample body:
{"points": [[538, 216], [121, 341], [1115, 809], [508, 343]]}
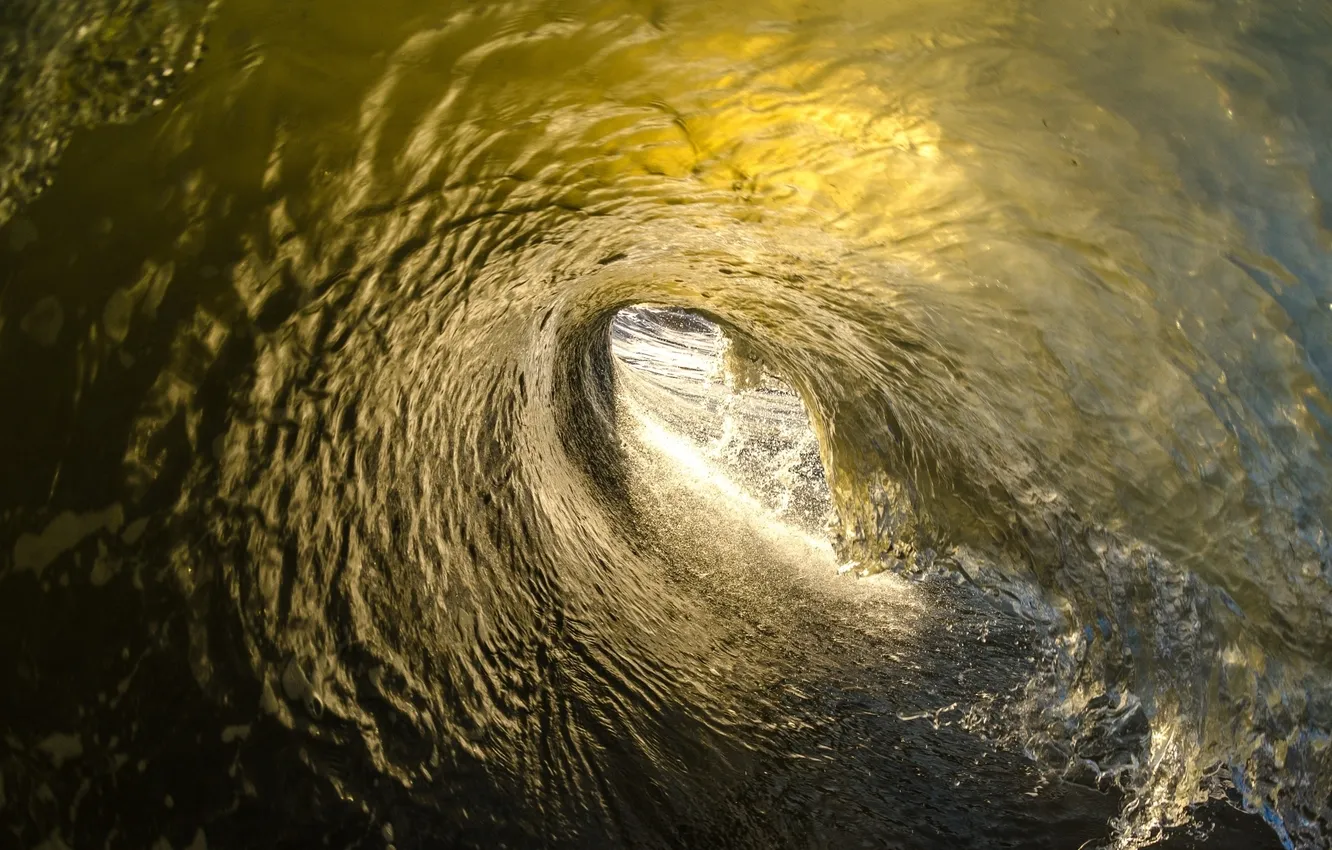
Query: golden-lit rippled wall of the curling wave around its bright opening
{"points": [[1066, 340]]}
